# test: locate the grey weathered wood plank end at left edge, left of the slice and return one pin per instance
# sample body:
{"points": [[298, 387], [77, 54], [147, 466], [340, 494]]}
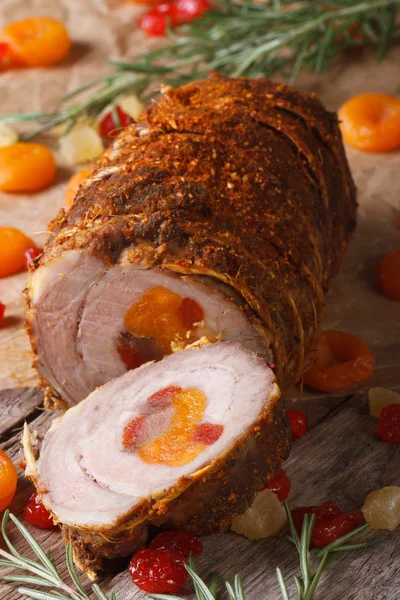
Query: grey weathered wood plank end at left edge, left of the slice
{"points": [[16, 405]]}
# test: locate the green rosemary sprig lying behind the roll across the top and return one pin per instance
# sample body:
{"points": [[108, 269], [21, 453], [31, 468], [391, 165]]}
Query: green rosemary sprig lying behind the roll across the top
{"points": [[250, 38]]}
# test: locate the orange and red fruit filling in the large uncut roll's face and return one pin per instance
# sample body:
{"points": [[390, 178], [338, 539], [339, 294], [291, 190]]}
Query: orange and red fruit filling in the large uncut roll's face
{"points": [[158, 319]]}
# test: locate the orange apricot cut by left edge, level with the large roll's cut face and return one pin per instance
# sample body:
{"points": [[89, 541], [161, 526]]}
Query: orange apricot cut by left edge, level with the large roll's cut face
{"points": [[13, 245]]}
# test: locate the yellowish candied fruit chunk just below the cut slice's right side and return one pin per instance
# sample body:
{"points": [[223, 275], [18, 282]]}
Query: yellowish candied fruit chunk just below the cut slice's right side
{"points": [[265, 517]]}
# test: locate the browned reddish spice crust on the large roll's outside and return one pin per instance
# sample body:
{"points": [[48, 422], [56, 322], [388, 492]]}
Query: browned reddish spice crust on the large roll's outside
{"points": [[243, 180]]}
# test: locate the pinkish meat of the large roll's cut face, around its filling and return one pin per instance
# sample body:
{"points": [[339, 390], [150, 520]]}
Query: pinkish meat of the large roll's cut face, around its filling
{"points": [[78, 315]]}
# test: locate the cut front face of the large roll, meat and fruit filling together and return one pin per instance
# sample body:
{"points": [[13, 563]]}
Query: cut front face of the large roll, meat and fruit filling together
{"points": [[81, 321]]}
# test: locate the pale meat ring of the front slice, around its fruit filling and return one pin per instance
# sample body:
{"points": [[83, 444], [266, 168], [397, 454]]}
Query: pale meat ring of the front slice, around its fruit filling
{"points": [[91, 481]]}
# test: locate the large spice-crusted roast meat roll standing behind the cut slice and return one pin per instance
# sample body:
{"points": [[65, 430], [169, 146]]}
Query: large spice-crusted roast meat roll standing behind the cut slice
{"points": [[224, 213]]}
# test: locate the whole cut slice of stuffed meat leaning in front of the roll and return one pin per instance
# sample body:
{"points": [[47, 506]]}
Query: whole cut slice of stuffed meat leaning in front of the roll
{"points": [[185, 442]]}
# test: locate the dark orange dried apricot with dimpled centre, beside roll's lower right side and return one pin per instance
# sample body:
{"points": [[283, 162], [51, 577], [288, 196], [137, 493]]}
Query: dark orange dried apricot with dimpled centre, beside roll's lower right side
{"points": [[342, 359]]}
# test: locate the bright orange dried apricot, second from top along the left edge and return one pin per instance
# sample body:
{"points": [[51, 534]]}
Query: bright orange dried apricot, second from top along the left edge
{"points": [[26, 167]]}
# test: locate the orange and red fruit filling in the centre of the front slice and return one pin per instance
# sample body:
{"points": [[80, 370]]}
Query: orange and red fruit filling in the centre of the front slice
{"points": [[176, 415]]}
